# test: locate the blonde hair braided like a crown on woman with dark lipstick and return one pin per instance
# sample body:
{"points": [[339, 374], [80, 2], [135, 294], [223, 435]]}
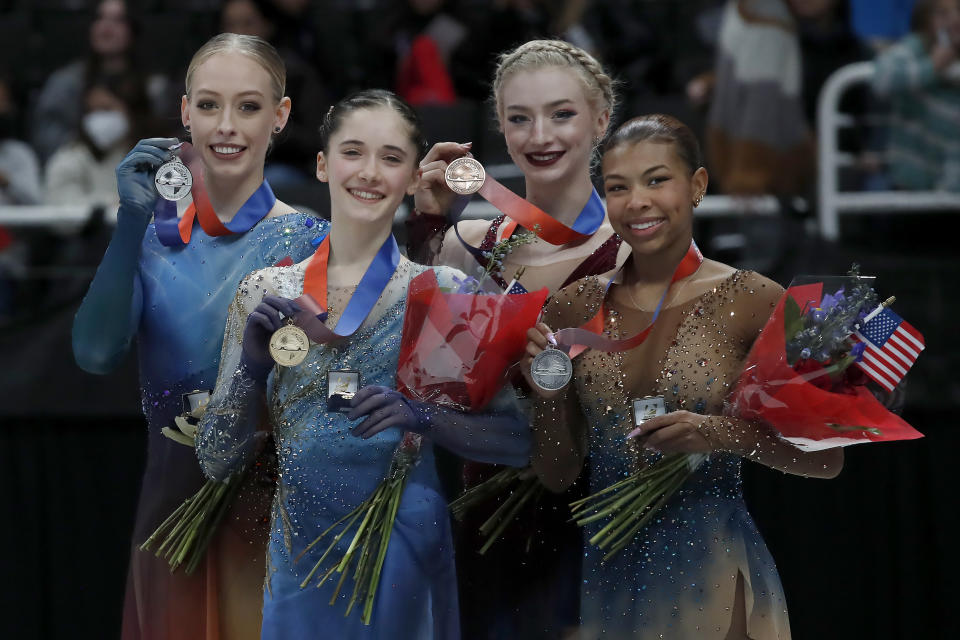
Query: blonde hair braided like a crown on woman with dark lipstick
{"points": [[537, 54]]}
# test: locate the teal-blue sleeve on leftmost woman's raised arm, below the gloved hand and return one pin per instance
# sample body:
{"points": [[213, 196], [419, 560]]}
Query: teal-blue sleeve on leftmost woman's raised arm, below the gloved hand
{"points": [[110, 314]]}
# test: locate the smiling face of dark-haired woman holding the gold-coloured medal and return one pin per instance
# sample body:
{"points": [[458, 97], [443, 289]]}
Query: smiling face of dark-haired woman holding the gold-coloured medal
{"points": [[370, 164]]}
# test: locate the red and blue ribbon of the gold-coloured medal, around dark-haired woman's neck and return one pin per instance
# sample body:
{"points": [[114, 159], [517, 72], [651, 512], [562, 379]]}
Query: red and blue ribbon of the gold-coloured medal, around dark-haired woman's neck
{"points": [[313, 302]]}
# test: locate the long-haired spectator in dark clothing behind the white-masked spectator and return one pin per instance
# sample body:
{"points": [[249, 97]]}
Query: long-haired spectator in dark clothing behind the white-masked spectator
{"points": [[60, 105]]}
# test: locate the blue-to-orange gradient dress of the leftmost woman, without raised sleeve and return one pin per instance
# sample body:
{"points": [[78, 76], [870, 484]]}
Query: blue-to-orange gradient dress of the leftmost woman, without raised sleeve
{"points": [[184, 293]]}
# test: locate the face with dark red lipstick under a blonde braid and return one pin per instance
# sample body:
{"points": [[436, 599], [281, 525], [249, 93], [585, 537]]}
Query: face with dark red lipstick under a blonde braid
{"points": [[549, 124]]}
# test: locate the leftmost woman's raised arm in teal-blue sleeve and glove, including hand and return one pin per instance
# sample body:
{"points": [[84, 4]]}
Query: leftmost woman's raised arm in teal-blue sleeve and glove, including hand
{"points": [[110, 313]]}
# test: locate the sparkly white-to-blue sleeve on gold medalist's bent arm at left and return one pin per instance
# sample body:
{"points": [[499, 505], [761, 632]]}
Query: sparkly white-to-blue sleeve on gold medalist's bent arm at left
{"points": [[228, 436]]}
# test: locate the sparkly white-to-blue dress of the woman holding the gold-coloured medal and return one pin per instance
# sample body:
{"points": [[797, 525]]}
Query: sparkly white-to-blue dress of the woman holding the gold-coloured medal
{"points": [[325, 472]]}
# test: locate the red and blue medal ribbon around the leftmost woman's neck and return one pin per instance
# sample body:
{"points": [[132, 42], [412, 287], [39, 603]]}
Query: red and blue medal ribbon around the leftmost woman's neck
{"points": [[174, 232]]}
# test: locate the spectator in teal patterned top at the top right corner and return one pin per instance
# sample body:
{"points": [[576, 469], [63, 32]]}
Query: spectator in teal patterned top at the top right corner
{"points": [[921, 77]]}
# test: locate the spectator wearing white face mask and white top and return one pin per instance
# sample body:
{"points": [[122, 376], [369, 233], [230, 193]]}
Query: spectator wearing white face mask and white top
{"points": [[82, 172]]}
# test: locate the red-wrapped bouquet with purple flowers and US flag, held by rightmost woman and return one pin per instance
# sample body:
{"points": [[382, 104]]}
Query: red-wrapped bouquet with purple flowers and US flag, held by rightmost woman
{"points": [[806, 376]]}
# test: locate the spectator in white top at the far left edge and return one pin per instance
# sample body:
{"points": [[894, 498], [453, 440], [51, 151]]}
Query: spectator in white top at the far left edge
{"points": [[19, 168]]}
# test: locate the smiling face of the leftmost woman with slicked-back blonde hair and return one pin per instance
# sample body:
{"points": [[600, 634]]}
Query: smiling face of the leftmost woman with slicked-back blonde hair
{"points": [[231, 113]]}
